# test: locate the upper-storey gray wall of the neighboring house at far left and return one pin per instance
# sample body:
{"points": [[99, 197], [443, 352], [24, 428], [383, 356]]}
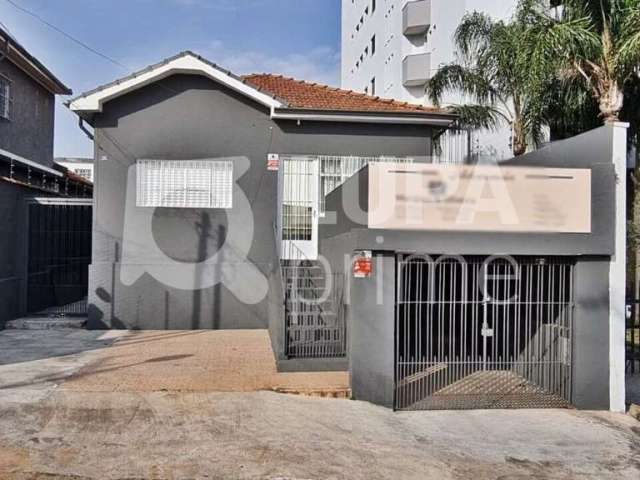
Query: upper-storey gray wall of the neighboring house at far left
{"points": [[29, 132]]}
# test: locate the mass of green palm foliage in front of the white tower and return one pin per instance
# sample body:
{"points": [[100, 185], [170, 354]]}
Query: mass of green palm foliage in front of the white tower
{"points": [[569, 71]]}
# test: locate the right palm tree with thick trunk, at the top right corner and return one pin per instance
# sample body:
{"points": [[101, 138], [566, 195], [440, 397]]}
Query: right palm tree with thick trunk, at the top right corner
{"points": [[595, 45]]}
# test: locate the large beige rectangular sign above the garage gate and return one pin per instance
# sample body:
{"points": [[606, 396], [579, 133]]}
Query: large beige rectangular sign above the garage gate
{"points": [[487, 198]]}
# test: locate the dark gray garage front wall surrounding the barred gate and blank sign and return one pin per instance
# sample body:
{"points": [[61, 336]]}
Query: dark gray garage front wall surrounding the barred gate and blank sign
{"points": [[371, 322]]}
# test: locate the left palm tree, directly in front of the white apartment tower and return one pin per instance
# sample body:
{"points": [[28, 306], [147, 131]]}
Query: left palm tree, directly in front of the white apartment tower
{"points": [[495, 75]]}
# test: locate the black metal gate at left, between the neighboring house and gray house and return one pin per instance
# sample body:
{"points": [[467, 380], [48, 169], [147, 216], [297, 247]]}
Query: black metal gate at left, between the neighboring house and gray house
{"points": [[58, 256]]}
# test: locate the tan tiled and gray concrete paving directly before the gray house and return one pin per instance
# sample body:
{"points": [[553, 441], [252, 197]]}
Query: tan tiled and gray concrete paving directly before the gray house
{"points": [[152, 361]]}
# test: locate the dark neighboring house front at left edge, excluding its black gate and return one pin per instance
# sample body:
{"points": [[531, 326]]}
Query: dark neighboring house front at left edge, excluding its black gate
{"points": [[28, 134]]}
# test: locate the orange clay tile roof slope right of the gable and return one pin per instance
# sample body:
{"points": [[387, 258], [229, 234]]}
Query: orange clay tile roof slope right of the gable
{"points": [[299, 94]]}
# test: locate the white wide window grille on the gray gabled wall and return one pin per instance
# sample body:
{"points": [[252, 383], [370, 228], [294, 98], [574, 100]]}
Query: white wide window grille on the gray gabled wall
{"points": [[185, 183]]}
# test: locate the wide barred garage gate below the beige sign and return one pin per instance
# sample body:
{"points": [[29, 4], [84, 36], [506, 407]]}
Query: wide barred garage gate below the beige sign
{"points": [[483, 332]]}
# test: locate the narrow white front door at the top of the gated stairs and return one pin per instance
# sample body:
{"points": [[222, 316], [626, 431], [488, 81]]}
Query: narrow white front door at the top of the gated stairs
{"points": [[300, 208]]}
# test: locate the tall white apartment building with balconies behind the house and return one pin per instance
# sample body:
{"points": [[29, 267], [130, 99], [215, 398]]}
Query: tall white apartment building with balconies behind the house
{"points": [[390, 48]]}
